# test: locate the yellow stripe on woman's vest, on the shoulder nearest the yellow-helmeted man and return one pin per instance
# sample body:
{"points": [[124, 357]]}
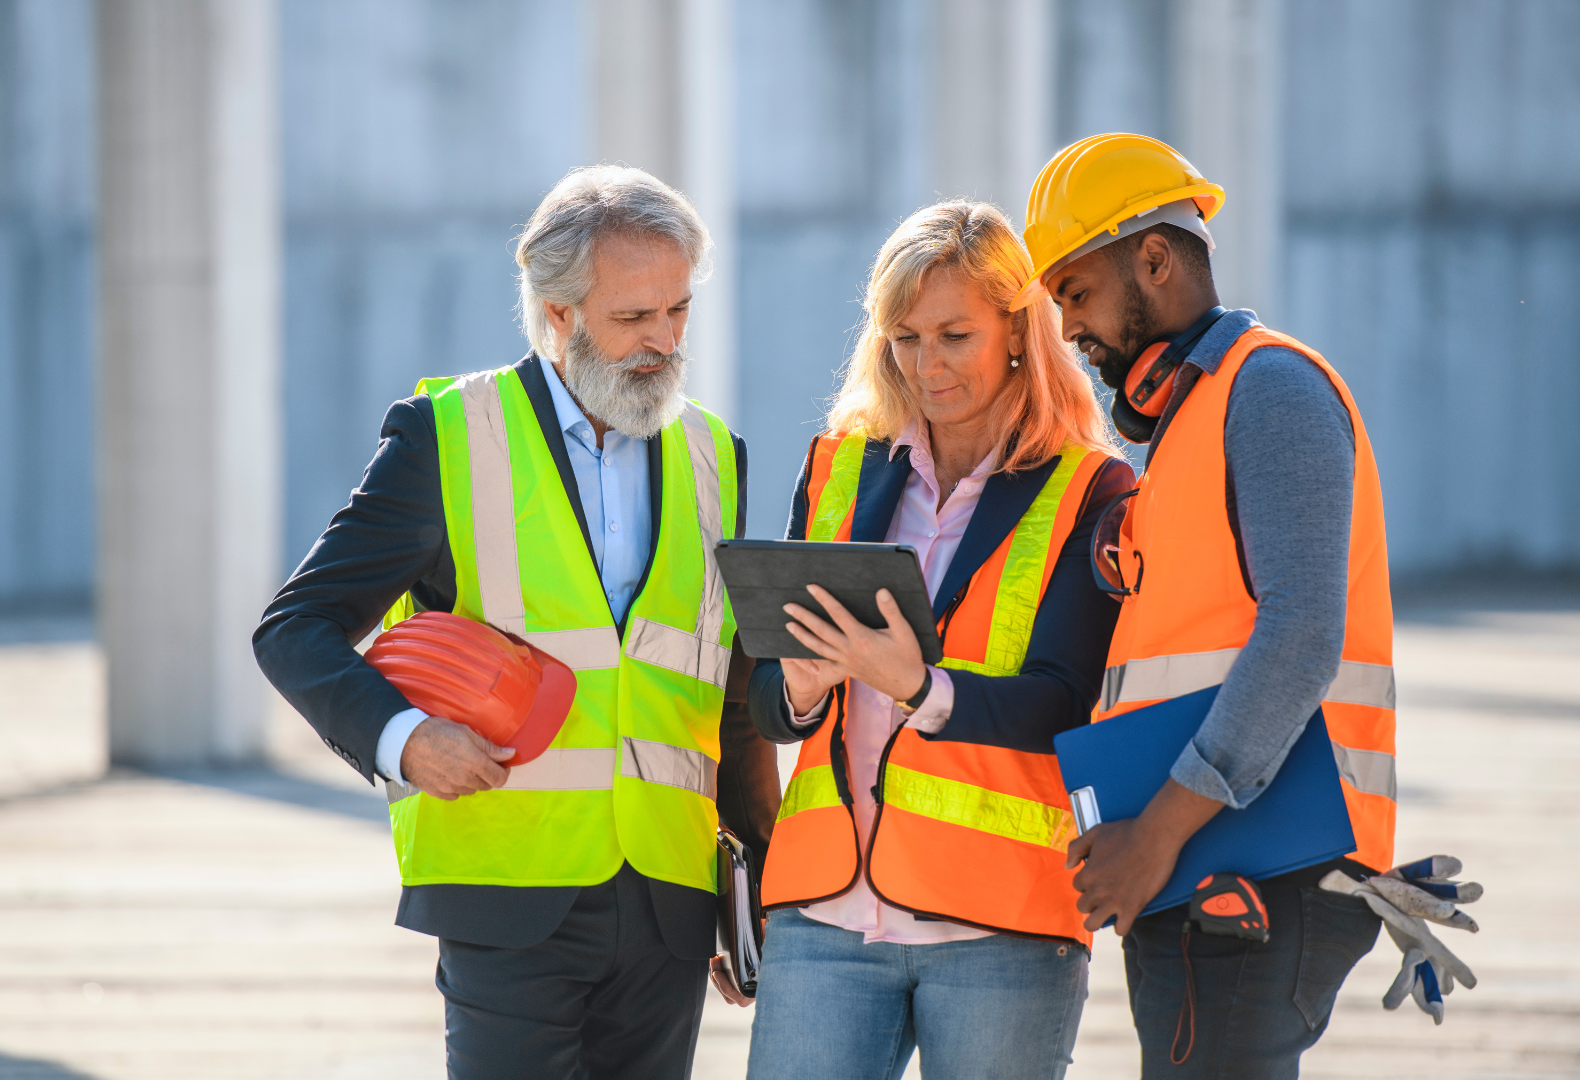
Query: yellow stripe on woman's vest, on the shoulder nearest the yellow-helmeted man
{"points": [[1021, 583]]}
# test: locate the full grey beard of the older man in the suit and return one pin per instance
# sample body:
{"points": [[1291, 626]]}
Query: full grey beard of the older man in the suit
{"points": [[633, 403]]}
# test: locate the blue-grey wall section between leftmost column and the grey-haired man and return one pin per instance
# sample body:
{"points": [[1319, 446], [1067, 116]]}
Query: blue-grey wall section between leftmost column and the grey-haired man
{"points": [[419, 135]]}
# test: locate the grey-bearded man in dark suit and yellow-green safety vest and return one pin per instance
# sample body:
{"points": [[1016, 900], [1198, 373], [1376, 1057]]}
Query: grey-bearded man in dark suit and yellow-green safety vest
{"points": [[573, 501]]}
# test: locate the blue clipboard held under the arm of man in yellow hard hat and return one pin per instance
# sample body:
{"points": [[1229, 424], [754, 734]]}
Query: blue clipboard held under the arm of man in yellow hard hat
{"points": [[1298, 822]]}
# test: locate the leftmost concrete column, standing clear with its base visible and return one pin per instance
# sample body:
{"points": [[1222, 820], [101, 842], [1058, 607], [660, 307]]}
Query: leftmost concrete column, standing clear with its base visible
{"points": [[189, 373]]}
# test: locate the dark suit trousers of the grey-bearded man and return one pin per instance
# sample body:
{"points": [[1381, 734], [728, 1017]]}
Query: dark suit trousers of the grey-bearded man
{"points": [[603, 999]]}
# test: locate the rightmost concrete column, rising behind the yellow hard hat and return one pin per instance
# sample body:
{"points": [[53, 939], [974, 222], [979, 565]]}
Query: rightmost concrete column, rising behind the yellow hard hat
{"points": [[1228, 121]]}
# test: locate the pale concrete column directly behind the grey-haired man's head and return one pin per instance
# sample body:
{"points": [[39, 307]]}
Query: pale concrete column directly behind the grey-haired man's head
{"points": [[664, 100]]}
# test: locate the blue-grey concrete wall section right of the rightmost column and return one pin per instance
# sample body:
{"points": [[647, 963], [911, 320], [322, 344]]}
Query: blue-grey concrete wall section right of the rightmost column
{"points": [[1434, 212]]}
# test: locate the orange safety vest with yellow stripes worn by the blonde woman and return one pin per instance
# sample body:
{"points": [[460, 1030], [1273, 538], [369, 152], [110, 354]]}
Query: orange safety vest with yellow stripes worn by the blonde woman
{"points": [[963, 833]]}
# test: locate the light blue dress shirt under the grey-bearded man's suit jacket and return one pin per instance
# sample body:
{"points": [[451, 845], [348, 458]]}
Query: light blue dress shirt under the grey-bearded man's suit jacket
{"points": [[617, 500]]}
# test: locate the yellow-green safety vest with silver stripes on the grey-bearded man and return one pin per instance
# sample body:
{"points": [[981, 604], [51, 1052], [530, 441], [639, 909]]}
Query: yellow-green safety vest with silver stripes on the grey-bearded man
{"points": [[634, 771]]}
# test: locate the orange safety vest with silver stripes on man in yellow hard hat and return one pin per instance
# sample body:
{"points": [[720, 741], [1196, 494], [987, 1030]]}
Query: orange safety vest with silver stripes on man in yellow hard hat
{"points": [[1194, 612]]}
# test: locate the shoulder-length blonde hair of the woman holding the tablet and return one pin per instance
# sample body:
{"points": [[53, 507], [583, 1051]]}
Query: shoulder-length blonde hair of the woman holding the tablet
{"points": [[1048, 399]]}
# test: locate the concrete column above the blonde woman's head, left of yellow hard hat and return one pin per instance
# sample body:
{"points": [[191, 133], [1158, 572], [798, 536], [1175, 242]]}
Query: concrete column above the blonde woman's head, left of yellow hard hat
{"points": [[993, 99]]}
